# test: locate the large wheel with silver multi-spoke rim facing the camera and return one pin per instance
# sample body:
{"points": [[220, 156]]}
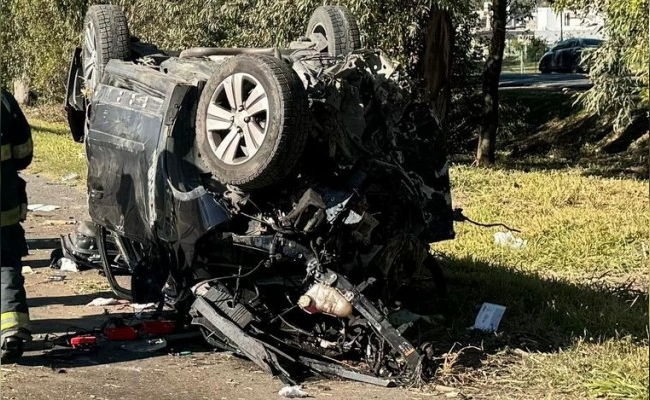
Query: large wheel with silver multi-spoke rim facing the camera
{"points": [[245, 139]]}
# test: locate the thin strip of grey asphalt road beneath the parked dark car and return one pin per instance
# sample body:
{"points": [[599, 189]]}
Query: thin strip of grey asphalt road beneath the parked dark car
{"points": [[555, 81]]}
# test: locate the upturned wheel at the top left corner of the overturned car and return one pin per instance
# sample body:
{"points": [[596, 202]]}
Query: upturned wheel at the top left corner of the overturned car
{"points": [[106, 37]]}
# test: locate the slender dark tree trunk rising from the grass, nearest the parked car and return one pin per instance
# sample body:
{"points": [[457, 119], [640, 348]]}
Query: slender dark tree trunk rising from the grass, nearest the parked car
{"points": [[491, 73]]}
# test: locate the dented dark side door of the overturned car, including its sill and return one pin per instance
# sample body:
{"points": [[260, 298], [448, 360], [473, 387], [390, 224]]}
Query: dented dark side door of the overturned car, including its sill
{"points": [[129, 113]]}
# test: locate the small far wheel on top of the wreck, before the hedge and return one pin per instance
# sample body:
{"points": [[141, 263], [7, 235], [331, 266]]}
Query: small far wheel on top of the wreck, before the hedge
{"points": [[339, 27]]}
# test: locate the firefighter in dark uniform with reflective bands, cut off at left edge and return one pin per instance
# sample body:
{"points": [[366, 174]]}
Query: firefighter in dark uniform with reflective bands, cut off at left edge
{"points": [[17, 150]]}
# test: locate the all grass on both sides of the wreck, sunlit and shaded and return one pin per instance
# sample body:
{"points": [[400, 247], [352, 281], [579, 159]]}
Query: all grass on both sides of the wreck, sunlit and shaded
{"points": [[576, 324]]}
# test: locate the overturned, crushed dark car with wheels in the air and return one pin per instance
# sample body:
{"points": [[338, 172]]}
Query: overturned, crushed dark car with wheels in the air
{"points": [[283, 199]]}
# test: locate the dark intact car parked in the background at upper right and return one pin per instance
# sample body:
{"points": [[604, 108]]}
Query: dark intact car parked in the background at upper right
{"points": [[567, 55]]}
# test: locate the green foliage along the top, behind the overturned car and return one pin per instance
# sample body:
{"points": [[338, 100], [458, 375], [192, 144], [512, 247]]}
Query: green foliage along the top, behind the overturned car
{"points": [[38, 36]]}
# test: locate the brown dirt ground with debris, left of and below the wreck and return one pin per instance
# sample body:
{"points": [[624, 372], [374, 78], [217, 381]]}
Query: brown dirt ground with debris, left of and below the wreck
{"points": [[113, 372]]}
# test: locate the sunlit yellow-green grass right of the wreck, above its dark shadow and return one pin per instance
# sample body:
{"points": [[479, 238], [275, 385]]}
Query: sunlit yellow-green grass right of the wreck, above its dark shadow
{"points": [[575, 225]]}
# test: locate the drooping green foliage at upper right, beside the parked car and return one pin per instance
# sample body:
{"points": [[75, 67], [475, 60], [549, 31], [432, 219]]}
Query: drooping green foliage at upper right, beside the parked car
{"points": [[619, 69]]}
